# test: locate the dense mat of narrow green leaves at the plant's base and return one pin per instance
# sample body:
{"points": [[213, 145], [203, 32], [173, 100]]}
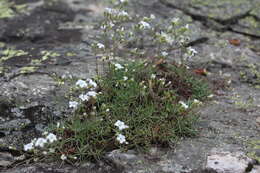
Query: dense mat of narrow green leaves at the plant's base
{"points": [[142, 95]]}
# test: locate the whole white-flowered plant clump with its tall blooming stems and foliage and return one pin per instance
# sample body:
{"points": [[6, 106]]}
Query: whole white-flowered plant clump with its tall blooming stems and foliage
{"points": [[138, 102]]}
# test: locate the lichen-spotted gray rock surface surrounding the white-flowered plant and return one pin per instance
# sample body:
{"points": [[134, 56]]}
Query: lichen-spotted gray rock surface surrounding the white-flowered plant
{"points": [[57, 38]]}
